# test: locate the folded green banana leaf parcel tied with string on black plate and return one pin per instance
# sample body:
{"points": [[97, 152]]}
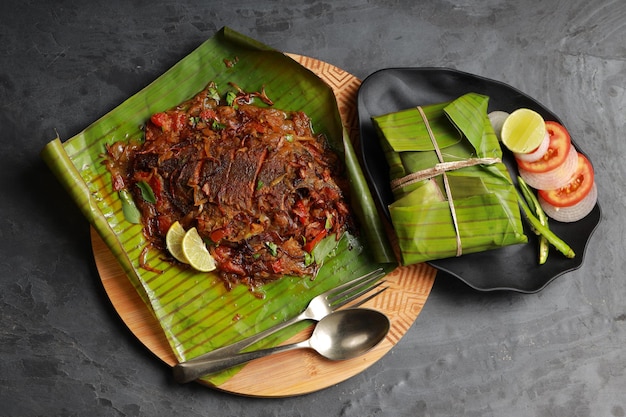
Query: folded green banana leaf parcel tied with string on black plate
{"points": [[482, 196]]}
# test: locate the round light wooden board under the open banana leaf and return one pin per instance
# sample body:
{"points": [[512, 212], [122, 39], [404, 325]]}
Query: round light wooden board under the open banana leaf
{"points": [[296, 372]]}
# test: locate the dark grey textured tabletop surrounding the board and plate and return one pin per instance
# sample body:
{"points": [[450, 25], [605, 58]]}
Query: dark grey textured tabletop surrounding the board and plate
{"points": [[65, 352]]}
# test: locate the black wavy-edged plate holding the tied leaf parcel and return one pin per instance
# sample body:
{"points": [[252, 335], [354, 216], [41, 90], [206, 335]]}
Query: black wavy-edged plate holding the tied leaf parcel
{"points": [[510, 268]]}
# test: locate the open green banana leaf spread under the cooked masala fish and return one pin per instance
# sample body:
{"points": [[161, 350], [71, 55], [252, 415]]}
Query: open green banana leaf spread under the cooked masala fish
{"points": [[196, 311]]}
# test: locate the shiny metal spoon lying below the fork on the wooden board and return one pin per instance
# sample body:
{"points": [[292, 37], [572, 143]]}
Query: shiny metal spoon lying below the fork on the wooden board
{"points": [[341, 335]]}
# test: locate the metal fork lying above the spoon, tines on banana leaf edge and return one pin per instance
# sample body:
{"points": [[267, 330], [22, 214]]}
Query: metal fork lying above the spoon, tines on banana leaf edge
{"points": [[318, 308]]}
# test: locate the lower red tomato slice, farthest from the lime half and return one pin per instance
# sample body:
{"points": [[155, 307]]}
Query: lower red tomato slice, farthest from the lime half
{"points": [[579, 186]]}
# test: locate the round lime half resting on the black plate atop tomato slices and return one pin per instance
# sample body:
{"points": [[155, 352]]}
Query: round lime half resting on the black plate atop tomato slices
{"points": [[523, 131]]}
